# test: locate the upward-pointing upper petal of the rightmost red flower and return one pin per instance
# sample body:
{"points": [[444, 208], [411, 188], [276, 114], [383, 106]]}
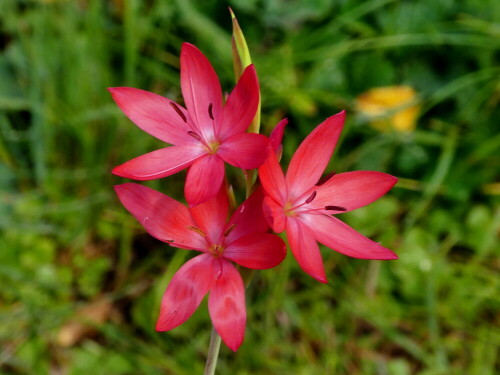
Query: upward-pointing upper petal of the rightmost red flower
{"points": [[312, 156]]}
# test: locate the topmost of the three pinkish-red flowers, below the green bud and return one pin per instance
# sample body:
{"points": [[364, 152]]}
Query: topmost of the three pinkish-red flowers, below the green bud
{"points": [[204, 136]]}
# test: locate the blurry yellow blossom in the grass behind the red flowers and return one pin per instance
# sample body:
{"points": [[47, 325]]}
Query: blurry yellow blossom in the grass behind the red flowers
{"points": [[390, 108]]}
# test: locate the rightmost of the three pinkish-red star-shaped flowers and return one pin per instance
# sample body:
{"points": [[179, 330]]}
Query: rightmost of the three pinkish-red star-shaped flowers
{"points": [[302, 202]]}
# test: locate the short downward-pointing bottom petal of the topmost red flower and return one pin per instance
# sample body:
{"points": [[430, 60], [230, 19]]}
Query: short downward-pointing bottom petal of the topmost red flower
{"points": [[204, 179]]}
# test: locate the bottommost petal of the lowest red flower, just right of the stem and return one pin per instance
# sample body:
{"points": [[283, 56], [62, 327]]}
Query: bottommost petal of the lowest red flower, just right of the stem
{"points": [[226, 304]]}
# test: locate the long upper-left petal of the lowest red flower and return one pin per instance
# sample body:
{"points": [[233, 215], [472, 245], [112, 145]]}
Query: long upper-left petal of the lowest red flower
{"points": [[163, 217]]}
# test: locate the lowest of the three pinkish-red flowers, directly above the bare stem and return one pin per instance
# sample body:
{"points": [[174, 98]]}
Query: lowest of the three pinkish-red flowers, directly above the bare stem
{"points": [[243, 239]]}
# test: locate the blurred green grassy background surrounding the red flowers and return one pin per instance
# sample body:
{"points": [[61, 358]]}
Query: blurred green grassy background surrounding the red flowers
{"points": [[80, 281]]}
